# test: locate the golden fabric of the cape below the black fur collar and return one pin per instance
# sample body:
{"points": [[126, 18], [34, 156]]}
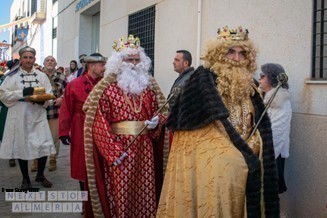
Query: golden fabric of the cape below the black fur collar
{"points": [[204, 160]]}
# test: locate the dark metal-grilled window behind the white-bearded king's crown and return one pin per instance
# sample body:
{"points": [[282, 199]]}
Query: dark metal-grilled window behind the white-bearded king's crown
{"points": [[142, 24]]}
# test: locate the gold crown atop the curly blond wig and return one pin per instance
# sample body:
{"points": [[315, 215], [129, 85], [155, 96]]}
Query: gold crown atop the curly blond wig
{"points": [[238, 34]]}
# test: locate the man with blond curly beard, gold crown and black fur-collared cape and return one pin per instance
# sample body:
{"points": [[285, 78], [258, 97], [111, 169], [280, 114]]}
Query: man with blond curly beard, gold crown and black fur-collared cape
{"points": [[216, 166]]}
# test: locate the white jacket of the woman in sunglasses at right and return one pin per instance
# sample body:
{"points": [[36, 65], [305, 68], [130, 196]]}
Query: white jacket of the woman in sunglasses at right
{"points": [[280, 113]]}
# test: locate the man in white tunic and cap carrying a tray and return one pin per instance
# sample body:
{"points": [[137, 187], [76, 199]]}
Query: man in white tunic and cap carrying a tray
{"points": [[27, 135]]}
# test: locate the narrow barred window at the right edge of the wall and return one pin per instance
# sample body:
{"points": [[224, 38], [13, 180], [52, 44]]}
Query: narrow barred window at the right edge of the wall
{"points": [[319, 48]]}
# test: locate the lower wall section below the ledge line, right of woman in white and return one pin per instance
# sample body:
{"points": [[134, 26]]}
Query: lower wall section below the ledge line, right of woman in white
{"points": [[305, 169]]}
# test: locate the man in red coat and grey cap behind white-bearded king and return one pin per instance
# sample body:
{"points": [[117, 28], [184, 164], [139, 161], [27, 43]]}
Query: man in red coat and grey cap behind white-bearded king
{"points": [[71, 115]]}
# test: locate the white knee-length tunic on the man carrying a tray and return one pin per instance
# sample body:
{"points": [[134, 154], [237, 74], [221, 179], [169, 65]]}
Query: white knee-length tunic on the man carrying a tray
{"points": [[27, 134]]}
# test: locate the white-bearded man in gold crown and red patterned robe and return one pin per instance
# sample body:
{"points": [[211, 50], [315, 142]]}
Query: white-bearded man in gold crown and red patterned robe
{"points": [[122, 179]]}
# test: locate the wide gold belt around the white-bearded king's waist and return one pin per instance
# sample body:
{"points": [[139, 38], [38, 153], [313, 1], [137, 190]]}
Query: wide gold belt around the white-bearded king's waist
{"points": [[128, 127]]}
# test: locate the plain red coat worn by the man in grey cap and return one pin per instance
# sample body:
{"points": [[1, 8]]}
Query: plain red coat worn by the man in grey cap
{"points": [[71, 122]]}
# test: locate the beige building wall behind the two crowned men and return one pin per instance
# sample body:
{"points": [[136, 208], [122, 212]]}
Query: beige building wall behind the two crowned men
{"points": [[282, 32]]}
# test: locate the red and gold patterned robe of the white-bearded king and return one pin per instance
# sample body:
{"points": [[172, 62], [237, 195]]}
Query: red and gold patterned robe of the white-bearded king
{"points": [[129, 188]]}
